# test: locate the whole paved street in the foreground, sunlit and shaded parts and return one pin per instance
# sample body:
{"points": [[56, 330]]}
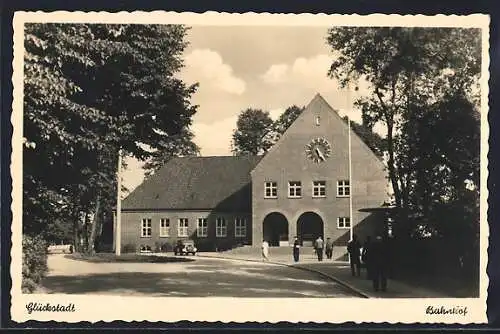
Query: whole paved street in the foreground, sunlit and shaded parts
{"points": [[202, 277]]}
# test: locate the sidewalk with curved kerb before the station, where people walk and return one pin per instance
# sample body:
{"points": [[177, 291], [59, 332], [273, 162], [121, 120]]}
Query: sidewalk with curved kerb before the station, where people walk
{"points": [[339, 272]]}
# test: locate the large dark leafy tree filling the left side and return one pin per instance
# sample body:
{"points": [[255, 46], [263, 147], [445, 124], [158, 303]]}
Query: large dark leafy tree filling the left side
{"points": [[90, 89]]}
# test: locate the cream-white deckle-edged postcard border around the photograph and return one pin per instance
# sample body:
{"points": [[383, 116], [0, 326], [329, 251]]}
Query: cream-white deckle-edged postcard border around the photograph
{"points": [[108, 308]]}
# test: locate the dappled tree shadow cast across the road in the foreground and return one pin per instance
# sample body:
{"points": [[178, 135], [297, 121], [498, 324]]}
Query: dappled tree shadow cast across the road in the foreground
{"points": [[201, 280]]}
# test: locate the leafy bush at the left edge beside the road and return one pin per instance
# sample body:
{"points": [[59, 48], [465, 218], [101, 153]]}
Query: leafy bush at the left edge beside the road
{"points": [[34, 262]]}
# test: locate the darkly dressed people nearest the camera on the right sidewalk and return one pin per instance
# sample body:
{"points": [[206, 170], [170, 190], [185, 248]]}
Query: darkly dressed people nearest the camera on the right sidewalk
{"points": [[374, 255]]}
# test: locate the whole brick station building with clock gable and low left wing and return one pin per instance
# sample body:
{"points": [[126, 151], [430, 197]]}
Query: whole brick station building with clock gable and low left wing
{"points": [[301, 187]]}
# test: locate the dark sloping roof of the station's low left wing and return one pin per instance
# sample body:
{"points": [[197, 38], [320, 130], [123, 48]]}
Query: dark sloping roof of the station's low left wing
{"points": [[219, 183]]}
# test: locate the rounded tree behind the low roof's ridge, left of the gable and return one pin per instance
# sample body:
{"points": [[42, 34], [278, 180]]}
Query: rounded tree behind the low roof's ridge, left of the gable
{"points": [[250, 134]]}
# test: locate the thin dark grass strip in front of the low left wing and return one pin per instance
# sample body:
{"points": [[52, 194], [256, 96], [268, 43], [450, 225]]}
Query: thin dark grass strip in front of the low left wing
{"points": [[127, 258]]}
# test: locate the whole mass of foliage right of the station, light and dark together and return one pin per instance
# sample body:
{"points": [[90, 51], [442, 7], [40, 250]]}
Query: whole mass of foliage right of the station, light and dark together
{"points": [[424, 88]]}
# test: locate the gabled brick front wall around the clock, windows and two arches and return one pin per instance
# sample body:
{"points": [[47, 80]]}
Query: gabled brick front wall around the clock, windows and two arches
{"points": [[288, 161]]}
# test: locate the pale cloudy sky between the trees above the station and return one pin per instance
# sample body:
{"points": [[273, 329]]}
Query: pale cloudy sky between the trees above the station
{"points": [[240, 67]]}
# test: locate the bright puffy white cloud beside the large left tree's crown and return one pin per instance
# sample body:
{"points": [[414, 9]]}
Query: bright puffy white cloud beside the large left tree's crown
{"points": [[208, 68]]}
